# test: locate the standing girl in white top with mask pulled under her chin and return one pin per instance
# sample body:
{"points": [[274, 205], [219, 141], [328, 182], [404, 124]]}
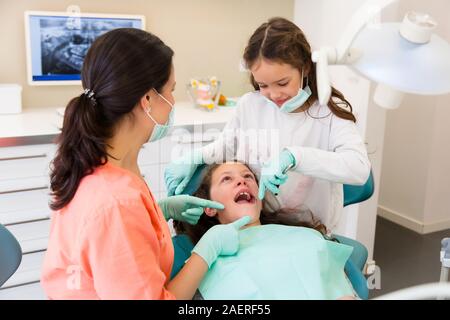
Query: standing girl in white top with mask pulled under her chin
{"points": [[314, 148]]}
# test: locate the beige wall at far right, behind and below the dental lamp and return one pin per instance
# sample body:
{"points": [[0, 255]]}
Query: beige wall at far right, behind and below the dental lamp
{"points": [[415, 181]]}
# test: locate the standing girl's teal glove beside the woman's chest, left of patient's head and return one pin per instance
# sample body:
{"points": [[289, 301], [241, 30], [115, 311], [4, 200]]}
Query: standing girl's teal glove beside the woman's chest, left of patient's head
{"points": [[178, 173]]}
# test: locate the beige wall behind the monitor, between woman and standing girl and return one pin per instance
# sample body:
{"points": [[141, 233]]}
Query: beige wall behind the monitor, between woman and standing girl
{"points": [[208, 37]]}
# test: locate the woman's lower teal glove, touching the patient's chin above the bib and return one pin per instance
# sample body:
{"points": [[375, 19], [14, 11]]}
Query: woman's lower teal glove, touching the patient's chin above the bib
{"points": [[222, 239]]}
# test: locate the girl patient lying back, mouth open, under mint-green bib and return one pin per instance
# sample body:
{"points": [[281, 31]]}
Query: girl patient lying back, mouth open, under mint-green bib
{"points": [[282, 255]]}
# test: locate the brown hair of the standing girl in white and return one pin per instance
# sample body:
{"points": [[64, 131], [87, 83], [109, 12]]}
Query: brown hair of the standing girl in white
{"points": [[282, 41]]}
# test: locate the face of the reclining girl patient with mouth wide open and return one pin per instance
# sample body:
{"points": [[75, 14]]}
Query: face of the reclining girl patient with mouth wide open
{"points": [[235, 186]]}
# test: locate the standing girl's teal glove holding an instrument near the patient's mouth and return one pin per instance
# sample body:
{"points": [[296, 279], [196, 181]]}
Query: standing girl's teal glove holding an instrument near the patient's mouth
{"points": [[273, 174]]}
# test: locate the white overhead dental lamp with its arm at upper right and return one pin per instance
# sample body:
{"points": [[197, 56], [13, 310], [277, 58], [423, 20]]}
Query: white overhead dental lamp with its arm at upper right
{"points": [[401, 57]]}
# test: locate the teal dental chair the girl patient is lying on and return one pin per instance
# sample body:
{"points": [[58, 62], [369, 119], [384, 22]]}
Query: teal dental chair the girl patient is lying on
{"points": [[355, 264]]}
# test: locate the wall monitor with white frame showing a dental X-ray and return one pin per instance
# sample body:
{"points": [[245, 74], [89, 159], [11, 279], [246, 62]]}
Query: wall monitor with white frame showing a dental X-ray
{"points": [[57, 42]]}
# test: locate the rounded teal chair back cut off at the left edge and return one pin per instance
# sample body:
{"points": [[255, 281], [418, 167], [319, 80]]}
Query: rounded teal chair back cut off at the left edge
{"points": [[10, 254]]}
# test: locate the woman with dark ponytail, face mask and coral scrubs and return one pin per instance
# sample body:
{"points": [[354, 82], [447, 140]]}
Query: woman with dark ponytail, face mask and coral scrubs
{"points": [[109, 238]]}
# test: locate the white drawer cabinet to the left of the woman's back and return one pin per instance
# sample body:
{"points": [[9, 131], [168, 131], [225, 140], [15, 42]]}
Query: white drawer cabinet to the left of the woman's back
{"points": [[24, 196]]}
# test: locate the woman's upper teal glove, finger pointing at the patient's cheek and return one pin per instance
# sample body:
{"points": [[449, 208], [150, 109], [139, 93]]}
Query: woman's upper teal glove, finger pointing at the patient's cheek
{"points": [[186, 208]]}
